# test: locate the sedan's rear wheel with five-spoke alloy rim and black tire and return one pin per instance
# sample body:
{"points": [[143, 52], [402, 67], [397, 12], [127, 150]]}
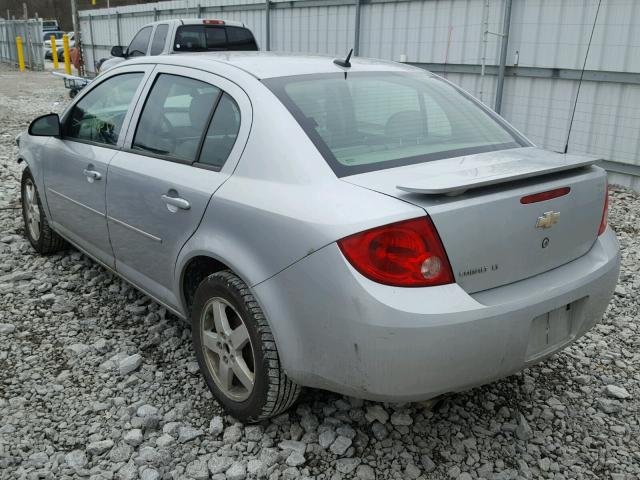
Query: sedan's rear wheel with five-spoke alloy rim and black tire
{"points": [[272, 392]]}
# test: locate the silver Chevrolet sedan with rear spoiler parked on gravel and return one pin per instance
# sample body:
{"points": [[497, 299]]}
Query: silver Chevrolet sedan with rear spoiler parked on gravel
{"points": [[359, 226]]}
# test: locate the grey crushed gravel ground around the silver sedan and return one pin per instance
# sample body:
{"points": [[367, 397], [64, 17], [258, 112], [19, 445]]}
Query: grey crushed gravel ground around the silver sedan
{"points": [[98, 381]]}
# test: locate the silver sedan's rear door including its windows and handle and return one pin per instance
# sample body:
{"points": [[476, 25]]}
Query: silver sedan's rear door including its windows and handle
{"points": [[183, 144]]}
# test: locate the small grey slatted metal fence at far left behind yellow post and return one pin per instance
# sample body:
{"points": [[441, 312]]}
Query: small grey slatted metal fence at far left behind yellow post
{"points": [[30, 31]]}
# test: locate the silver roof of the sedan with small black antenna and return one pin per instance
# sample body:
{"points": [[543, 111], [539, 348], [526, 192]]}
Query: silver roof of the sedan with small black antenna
{"points": [[264, 65]]}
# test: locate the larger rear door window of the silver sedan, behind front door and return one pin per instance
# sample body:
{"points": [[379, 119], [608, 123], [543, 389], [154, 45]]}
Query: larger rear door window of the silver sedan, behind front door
{"points": [[175, 116]]}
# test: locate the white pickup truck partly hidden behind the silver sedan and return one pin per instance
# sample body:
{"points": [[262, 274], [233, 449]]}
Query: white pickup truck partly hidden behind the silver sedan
{"points": [[176, 36]]}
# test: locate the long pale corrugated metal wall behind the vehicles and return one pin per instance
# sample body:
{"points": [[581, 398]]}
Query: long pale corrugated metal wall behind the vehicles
{"points": [[547, 44]]}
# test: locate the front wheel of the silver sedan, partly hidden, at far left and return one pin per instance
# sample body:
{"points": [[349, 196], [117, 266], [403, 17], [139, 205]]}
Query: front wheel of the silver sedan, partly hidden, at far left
{"points": [[36, 226]]}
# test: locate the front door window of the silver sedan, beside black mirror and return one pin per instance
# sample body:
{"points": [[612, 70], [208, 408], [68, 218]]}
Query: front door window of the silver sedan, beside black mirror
{"points": [[98, 116]]}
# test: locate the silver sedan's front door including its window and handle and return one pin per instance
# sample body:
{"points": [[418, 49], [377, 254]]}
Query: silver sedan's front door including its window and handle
{"points": [[76, 173]]}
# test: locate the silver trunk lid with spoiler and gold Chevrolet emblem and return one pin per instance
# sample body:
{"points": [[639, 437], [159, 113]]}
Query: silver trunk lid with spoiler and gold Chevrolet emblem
{"points": [[490, 237]]}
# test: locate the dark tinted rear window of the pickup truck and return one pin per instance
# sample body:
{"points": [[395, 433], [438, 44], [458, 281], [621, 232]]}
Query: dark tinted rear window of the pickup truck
{"points": [[199, 38]]}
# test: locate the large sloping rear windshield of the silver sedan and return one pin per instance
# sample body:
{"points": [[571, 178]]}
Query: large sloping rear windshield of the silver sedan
{"points": [[368, 121]]}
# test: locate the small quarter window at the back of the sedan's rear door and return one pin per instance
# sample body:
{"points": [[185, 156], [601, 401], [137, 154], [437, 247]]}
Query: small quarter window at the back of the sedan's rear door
{"points": [[222, 133]]}
